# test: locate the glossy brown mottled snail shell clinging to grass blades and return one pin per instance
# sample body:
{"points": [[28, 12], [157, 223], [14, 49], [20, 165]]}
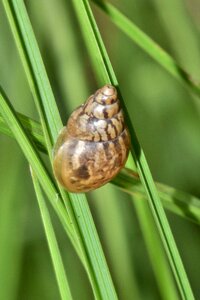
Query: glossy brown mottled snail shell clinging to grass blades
{"points": [[94, 145]]}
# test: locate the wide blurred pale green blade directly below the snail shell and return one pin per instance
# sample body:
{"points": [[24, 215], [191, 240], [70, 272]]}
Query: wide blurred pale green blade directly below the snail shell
{"points": [[116, 232]]}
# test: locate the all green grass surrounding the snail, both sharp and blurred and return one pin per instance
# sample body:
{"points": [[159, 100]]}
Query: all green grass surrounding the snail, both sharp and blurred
{"points": [[137, 263]]}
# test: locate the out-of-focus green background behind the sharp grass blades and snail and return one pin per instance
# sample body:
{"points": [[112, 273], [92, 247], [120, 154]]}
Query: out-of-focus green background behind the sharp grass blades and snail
{"points": [[166, 118]]}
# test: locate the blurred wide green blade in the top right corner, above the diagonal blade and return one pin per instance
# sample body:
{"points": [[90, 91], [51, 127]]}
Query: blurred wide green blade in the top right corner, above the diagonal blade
{"points": [[186, 50]]}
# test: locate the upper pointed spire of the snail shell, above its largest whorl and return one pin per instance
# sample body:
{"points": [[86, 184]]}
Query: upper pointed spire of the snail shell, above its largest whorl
{"points": [[99, 119]]}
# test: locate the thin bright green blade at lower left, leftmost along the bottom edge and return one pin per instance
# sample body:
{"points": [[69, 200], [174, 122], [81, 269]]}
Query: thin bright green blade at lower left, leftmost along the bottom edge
{"points": [[52, 242]]}
